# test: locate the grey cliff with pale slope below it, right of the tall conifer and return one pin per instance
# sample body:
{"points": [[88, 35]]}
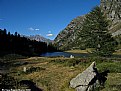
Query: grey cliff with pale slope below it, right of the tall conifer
{"points": [[112, 9]]}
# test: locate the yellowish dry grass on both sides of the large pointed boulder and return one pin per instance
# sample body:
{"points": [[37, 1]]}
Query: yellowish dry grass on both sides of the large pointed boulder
{"points": [[56, 76]]}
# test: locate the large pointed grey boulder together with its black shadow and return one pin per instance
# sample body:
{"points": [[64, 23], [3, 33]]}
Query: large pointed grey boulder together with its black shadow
{"points": [[90, 79]]}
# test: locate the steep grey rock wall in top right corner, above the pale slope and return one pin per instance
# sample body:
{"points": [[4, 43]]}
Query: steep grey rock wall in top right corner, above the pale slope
{"points": [[112, 9]]}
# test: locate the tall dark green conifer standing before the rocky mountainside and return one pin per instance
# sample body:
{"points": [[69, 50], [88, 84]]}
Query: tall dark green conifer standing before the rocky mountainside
{"points": [[95, 34]]}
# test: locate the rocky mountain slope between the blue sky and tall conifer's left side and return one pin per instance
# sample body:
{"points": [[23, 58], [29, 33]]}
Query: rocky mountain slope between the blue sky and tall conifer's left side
{"points": [[65, 39]]}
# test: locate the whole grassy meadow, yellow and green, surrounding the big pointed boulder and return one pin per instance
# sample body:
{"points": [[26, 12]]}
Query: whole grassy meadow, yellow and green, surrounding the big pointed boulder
{"points": [[56, 73]]}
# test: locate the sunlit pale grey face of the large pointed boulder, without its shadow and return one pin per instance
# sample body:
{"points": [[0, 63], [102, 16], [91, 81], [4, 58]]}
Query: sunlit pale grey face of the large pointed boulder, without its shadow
{"points": [[81, 81]]}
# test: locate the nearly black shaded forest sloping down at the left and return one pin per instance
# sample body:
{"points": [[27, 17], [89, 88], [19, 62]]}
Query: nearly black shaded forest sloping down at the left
{"points": [[15, 44]]}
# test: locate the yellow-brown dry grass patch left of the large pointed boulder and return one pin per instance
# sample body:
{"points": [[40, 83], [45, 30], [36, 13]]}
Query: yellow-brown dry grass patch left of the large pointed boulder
{"points": [[55, 77]]}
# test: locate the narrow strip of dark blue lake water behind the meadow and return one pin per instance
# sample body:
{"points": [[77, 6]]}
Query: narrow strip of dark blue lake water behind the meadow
{"points": [[64, 54]]}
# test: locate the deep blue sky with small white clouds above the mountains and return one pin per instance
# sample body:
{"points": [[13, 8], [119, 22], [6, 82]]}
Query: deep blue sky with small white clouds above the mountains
{"points": [[43, 17]]}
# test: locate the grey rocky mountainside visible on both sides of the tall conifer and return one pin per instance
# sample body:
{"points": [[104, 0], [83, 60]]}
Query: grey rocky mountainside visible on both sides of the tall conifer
{"points": [[67, 38]]}
